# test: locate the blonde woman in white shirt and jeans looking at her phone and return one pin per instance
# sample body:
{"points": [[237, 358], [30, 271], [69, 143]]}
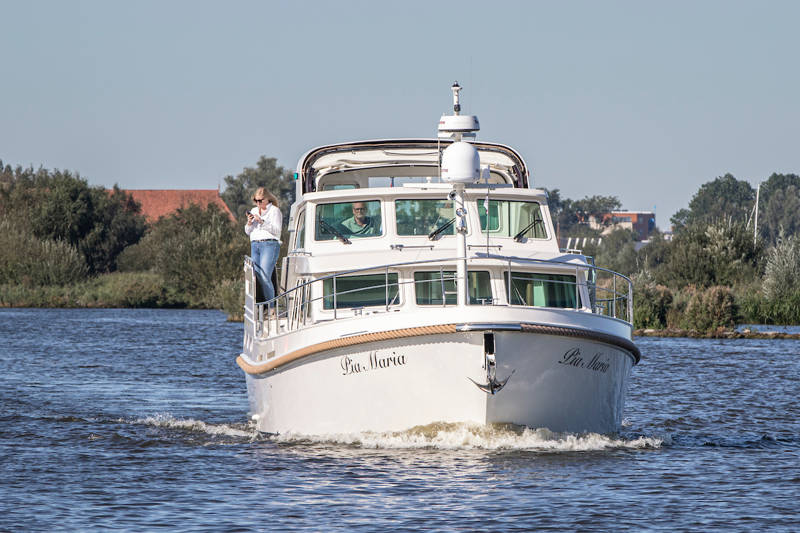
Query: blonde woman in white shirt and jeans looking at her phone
{"points": [[264, 224]]}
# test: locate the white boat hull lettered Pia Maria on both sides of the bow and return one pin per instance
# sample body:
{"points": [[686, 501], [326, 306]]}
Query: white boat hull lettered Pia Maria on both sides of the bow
{"points": [[563, 383]]}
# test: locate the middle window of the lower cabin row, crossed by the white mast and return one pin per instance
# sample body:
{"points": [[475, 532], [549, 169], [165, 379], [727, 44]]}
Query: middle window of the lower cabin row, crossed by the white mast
{"points": [[432, 288]]}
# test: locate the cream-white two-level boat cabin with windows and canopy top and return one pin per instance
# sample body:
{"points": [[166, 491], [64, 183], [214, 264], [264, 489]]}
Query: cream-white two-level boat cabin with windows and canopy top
{"points": [[383, 203]]}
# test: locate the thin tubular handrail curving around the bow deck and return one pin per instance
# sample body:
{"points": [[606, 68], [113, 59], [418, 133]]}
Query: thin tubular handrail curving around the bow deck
{"points": [[603, 296]]}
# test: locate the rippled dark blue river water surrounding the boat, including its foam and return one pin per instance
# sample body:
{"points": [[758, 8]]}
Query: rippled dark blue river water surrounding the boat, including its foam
{"points": [[137, 420]]}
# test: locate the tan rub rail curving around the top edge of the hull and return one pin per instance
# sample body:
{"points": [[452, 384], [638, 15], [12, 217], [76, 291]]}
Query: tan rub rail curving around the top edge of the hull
{"points": [[364, 338]]}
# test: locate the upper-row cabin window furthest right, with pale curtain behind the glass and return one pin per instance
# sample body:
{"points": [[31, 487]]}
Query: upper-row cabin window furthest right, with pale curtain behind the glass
{"points": [[507, 218]]}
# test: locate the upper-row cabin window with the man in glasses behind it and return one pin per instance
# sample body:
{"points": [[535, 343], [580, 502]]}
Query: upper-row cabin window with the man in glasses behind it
{"points": [[348, 220]]}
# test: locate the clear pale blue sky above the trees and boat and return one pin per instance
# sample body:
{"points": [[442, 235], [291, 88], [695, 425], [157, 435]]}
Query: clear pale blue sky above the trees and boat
{"points": [[642, 100]]}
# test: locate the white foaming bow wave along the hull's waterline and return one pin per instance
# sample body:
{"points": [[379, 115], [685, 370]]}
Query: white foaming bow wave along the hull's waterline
{"points": [[450, 436]]}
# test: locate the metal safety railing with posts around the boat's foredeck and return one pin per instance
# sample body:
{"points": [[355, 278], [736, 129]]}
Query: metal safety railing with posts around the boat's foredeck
{"points": [[609, 293]]}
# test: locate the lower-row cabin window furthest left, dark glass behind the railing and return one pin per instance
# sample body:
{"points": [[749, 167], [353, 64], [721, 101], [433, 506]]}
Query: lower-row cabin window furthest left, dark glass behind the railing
{"points": [[361, 291]]}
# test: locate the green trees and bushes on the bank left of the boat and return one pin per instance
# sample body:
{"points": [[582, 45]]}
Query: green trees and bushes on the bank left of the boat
{"points": [[66, 244]]}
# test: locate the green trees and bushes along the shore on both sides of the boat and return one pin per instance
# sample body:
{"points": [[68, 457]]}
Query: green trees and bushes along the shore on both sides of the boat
{"points": [[64, 244]]}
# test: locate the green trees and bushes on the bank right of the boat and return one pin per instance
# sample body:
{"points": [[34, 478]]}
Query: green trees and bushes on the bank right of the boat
{"points": [[719, 268]]}
